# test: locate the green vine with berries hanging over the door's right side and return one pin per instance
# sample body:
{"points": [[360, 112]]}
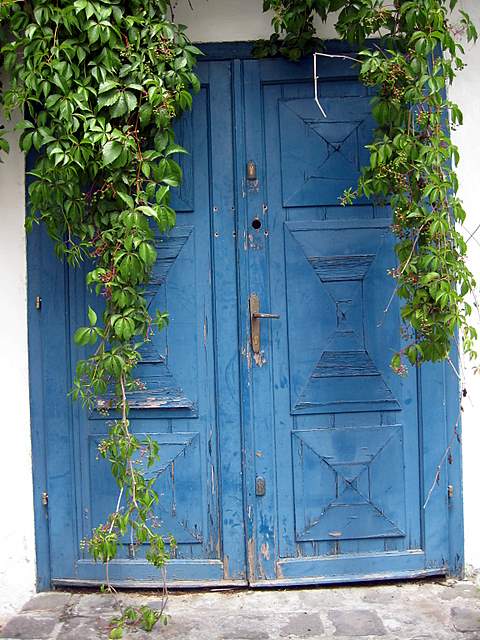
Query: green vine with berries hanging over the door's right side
{"points": [[412, 158]]}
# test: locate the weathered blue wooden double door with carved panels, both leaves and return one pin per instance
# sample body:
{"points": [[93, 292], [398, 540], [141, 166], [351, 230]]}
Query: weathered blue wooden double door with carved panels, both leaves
{"points": [[290, 452]]}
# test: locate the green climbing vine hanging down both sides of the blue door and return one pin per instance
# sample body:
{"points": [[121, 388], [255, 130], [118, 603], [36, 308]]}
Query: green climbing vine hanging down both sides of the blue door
{"points": [[100, 83]]}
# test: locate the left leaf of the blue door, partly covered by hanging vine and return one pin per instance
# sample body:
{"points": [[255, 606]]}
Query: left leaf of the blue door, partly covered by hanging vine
{"points": [[181, 383]]}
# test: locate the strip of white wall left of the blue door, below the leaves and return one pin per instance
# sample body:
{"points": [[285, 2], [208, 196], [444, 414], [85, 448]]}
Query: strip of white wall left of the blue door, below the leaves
{"points": [[17, 550]]}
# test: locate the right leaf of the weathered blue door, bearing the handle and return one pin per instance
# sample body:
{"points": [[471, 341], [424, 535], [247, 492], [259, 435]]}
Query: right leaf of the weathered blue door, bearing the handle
{"points": [[337, 436]]}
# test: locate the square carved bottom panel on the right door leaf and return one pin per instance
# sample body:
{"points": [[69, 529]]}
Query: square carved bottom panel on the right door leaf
{"points": [[344, 481]]}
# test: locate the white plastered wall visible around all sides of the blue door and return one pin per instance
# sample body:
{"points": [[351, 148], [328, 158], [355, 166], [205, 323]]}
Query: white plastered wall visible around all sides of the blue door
{"points": [[234, 20]]}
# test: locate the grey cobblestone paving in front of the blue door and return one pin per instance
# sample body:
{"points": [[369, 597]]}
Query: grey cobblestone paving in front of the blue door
{"points": [[412, 611]]}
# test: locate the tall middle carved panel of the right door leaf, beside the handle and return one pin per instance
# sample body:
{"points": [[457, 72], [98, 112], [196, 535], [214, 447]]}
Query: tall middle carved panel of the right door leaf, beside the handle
{"points": [[339, 364]]}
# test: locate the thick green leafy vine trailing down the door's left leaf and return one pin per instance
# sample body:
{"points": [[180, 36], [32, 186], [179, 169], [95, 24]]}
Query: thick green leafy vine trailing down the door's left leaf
{"points": [[100, 82]]}
